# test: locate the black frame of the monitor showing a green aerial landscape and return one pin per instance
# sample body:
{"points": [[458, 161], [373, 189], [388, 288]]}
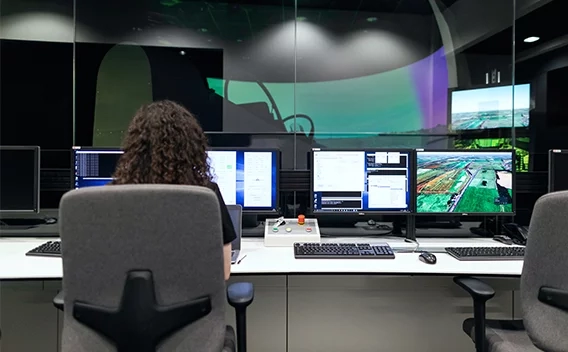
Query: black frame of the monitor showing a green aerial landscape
{"points": [[454, 214]]}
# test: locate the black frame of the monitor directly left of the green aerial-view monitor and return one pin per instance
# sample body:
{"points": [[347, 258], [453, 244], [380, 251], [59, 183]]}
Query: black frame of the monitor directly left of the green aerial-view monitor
{"points": [[411, 183]]}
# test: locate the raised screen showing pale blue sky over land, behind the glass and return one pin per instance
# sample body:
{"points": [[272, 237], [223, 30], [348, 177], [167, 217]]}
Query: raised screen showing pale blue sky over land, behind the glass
{"points": [[488, 108]]}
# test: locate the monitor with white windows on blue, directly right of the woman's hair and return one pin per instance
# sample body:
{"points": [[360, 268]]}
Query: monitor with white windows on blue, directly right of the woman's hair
{"points": [[248, 177]]}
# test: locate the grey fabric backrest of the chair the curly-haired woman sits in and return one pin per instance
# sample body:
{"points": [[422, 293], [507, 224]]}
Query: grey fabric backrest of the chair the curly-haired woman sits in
{"points": [[172, 231]]}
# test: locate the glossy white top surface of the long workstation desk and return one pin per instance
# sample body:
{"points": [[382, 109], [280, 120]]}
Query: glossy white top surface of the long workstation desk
{"points": [[15, 265]]}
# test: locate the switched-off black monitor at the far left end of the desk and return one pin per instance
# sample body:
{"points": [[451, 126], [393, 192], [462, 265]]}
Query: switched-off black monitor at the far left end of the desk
{"points": [[19, 179]]}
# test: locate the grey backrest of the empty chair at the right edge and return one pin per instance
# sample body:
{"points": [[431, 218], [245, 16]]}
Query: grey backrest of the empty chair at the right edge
{"points": [[546, 265]]}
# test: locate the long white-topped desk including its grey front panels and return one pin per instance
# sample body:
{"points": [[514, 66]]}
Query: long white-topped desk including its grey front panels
{"points": [[301, 305]]}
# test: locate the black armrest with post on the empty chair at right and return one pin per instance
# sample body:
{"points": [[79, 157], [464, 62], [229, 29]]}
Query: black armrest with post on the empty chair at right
{"points": [[481, 293]]}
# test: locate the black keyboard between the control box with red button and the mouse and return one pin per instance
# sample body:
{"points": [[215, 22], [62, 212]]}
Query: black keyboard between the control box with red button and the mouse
{"points": [[342, 251]]}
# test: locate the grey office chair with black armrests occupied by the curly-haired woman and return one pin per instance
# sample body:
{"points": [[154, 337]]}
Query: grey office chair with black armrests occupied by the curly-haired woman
{"points": [[143, 271]]}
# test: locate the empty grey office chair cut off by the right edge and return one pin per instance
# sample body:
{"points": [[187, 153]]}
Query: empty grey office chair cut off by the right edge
{"points": [[544, 289]]}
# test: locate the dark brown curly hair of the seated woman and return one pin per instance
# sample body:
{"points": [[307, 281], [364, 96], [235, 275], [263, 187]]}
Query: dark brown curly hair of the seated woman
{"points": [[164, 144]]}
